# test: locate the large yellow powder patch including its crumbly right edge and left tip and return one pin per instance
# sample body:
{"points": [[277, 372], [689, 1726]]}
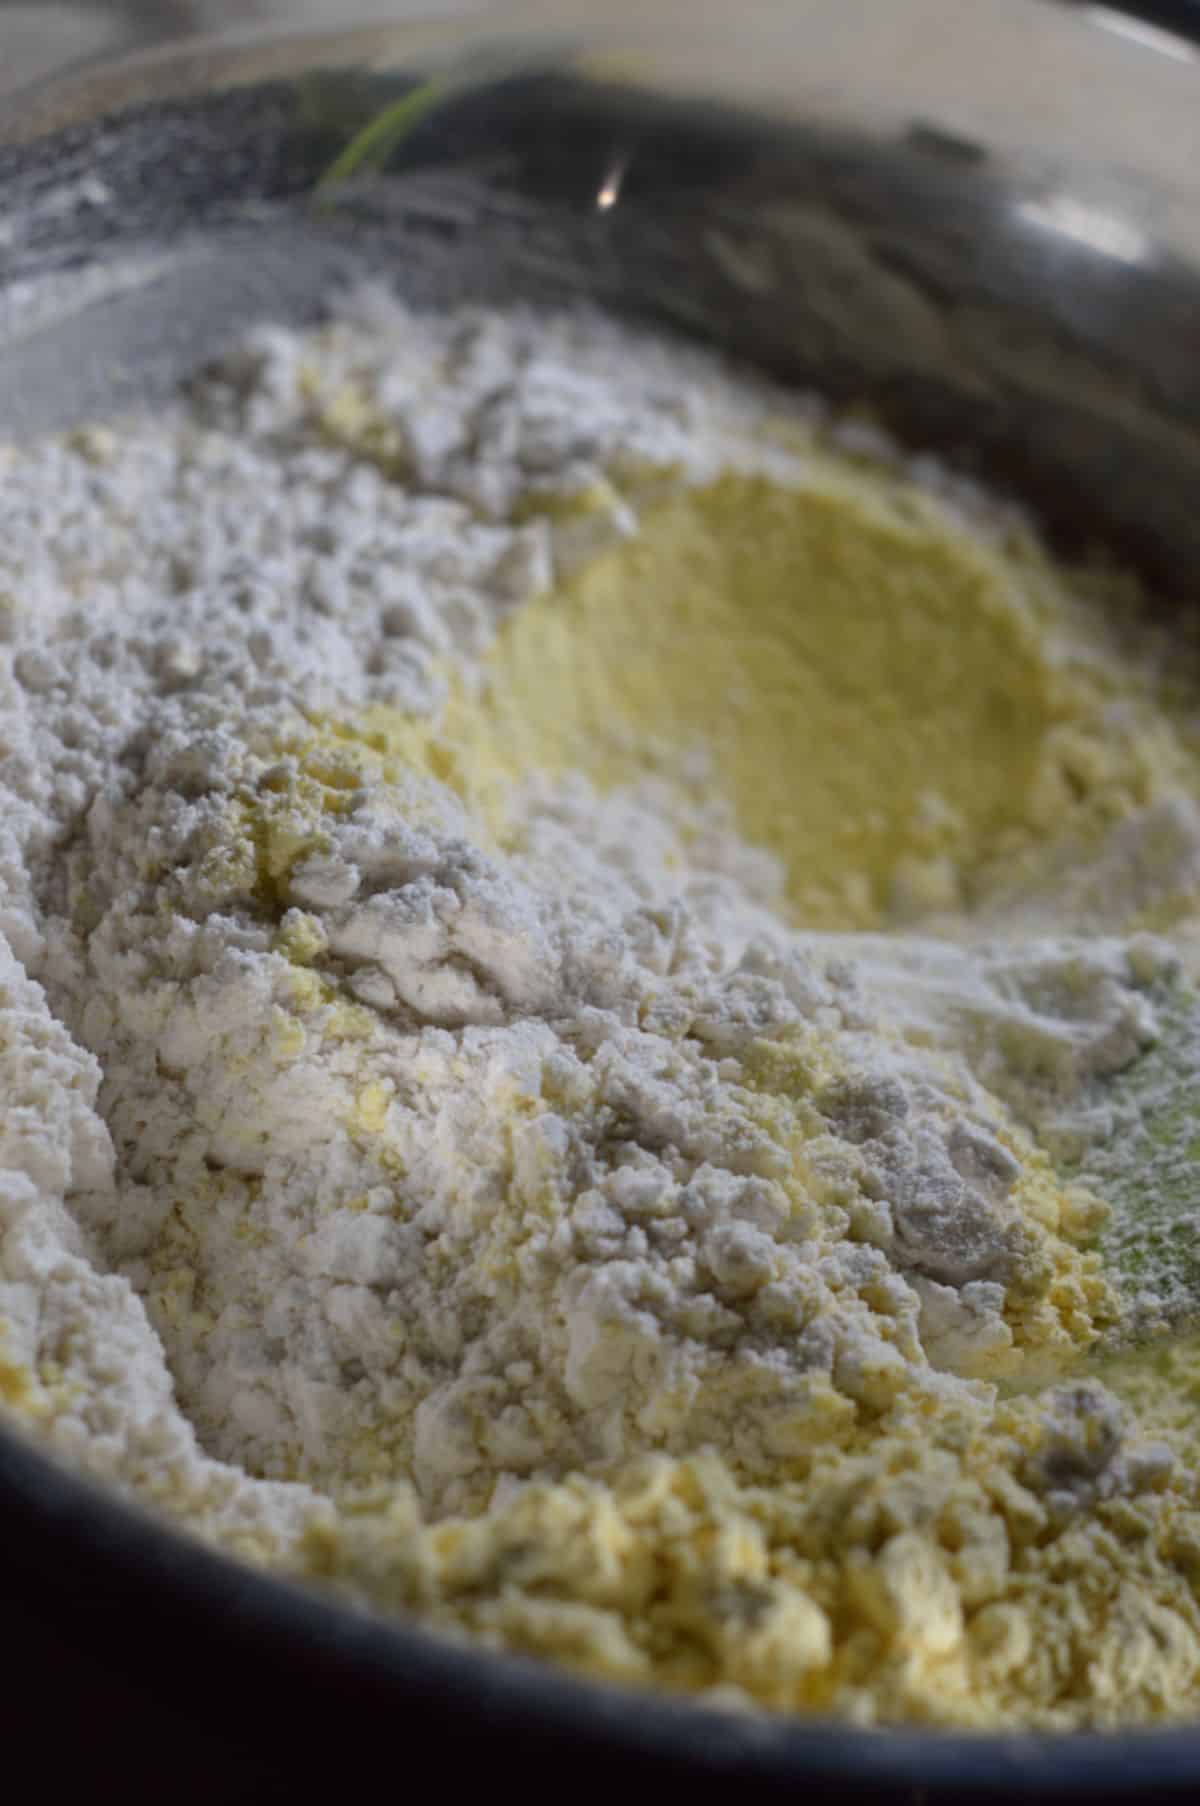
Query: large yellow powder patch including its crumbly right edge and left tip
{"points": [[881, 700]]}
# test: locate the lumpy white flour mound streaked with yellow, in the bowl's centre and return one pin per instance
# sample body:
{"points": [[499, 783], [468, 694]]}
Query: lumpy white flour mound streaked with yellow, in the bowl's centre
{"points": [[489, 1186]]}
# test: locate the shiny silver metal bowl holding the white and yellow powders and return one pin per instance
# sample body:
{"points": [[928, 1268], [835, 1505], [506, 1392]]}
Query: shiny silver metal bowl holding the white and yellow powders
{"points": [[980, 219]]}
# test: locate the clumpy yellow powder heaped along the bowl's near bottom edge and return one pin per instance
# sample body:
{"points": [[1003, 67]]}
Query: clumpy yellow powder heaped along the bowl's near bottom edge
{"points": [[903, 1574]]}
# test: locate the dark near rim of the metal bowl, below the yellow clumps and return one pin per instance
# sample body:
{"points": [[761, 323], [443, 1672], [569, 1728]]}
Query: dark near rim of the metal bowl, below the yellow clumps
{"points": [[344, 1668]]}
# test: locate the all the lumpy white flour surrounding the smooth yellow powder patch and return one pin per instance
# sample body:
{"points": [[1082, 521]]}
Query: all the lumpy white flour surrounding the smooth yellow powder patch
{"points": [[342, 1148]]}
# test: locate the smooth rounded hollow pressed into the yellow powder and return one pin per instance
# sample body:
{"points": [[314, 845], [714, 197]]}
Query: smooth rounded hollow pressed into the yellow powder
{"points": [[859, 687]]}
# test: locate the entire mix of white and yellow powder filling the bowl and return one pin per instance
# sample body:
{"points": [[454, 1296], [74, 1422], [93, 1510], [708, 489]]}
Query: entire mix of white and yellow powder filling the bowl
{"points": [[590, 962]]}
